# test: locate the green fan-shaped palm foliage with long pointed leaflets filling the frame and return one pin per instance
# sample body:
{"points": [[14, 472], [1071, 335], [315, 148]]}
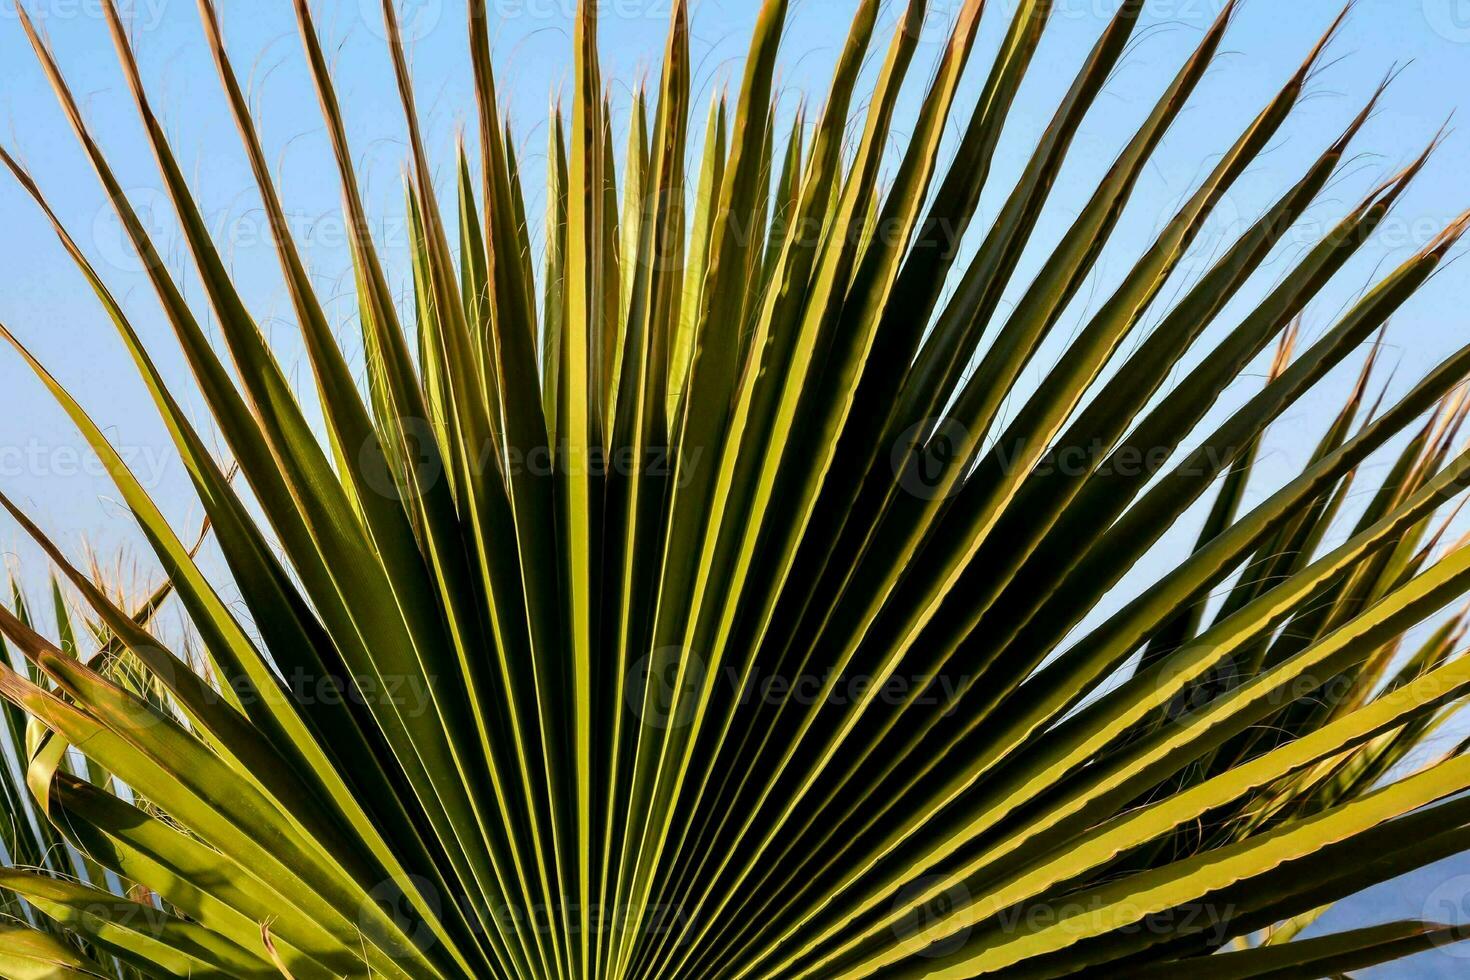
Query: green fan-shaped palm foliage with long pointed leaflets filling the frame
{"points": [[721, 596]]}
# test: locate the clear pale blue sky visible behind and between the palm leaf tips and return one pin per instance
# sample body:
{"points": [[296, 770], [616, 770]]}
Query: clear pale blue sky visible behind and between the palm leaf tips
{"points": [[48, 305]]}
